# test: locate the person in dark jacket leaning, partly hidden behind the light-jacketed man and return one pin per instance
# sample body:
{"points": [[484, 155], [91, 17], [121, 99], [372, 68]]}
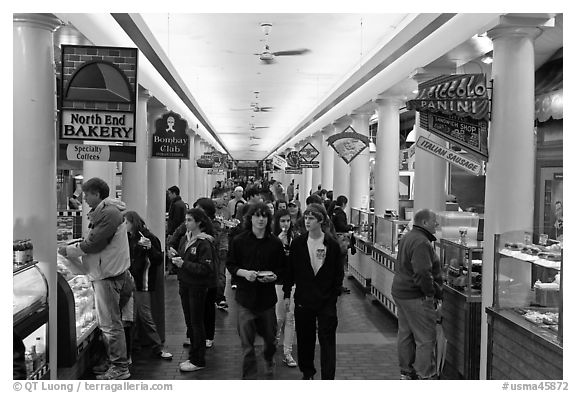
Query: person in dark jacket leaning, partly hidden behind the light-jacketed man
{"points": [[145, 257]]}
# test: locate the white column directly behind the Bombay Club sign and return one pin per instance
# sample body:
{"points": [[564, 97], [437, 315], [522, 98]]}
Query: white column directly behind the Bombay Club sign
{"points": [[156, 208]]}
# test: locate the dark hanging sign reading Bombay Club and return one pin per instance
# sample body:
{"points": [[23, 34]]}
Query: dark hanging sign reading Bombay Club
{"points": [[170, 139]]}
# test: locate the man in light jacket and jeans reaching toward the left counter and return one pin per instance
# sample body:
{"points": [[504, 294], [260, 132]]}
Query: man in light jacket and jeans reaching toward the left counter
{"points": [[106, 260]]}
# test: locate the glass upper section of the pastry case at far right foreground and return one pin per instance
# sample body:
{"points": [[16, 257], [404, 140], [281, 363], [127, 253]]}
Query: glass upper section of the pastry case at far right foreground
{"points": [[528, 281]]}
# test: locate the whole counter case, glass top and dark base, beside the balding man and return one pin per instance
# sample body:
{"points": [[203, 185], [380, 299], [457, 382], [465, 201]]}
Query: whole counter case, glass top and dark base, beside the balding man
{"points": [[461, 307]]}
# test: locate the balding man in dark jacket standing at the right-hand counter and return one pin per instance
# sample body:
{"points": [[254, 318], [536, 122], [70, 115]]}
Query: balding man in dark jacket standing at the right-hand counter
{"points": [[416, 289]]}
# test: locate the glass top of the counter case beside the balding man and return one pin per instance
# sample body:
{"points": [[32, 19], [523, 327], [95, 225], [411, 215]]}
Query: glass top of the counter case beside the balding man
{"points": [[462, 265]]}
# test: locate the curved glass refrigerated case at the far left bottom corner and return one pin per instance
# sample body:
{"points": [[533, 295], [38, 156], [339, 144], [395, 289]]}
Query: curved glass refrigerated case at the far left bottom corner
{"points": [[30, 317]]}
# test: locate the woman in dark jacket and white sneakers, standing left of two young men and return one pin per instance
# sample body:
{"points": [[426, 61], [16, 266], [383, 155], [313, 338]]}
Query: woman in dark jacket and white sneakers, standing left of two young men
{"points": [[196, 273]]}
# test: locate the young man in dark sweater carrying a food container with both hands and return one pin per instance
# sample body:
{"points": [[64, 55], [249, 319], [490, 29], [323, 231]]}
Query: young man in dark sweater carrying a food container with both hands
{"points": [[256, 258]]}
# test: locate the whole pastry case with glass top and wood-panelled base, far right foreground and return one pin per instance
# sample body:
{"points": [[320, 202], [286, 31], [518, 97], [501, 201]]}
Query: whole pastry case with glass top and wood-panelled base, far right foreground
{"points": [[525, 322]]}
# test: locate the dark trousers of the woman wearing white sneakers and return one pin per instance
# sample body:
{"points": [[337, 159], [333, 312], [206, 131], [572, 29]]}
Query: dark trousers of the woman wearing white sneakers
{"points": [[193, 303]]}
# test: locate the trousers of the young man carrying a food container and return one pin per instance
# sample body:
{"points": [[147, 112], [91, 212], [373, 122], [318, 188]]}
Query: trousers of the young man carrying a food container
{"points": [[252, 322]]}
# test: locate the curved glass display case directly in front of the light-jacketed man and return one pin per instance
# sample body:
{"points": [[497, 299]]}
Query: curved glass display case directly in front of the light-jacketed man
{"points": [[76, 313]]}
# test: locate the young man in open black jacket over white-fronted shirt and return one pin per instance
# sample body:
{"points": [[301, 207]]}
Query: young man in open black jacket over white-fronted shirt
{"points": [[315, 266]]}
